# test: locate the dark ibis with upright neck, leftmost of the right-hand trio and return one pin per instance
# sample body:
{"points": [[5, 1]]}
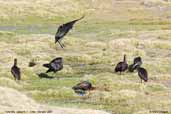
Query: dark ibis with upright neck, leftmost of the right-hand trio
{"points": [[122, 66]]}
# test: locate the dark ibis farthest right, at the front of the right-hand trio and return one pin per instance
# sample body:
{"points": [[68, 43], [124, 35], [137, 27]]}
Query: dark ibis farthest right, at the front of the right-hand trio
{"points": [[142, 73]]}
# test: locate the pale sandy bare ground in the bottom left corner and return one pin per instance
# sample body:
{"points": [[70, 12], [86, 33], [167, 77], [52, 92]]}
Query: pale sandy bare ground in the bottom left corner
{"points": [[27, 105]]}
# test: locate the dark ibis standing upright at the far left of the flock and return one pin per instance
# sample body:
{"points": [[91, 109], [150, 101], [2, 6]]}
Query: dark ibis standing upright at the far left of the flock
{"points": [[16, 70]]}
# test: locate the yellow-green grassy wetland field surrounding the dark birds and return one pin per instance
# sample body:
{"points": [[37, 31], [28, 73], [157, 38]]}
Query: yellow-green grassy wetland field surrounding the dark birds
{"points": [[110, 29]]}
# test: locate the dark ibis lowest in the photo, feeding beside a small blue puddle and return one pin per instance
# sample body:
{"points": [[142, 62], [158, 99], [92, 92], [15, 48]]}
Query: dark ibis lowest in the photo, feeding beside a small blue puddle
{"points": [[82, 87]]}
